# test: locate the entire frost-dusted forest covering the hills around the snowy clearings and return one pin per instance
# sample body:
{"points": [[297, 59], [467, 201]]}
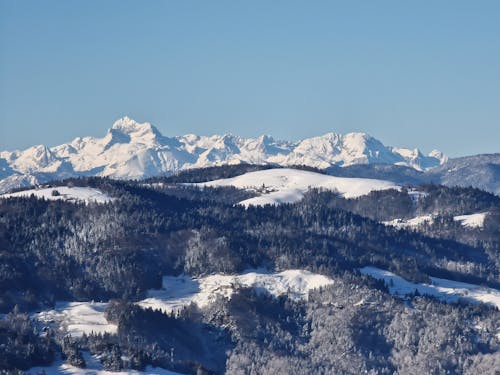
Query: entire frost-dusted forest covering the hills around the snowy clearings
{"points": [[119, 249]]}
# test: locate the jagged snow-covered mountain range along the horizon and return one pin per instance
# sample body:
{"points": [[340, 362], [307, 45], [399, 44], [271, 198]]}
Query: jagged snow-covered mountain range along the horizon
{"points": [[132, 150]]}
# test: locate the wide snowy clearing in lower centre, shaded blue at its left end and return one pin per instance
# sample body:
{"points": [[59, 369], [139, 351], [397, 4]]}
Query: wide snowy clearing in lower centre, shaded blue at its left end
{"points": [[180, 291]]}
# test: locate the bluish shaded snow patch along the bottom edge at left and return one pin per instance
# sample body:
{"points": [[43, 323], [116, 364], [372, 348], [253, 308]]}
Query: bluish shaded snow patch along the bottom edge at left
{"points": [[94, 367]]}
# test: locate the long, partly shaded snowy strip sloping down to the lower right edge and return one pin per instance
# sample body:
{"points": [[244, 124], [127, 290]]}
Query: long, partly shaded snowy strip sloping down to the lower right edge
{"points": [[443, 289]]}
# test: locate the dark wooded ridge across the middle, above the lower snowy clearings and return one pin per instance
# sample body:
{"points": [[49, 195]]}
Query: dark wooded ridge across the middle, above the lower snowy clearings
{"points": [[62, 251]]}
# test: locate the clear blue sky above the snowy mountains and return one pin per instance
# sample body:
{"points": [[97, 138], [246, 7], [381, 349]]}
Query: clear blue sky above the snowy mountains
{"points": [[411, 73]]}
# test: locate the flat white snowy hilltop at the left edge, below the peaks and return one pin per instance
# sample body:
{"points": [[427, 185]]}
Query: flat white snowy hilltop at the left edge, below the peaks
{"points": [[64, 193]]}
